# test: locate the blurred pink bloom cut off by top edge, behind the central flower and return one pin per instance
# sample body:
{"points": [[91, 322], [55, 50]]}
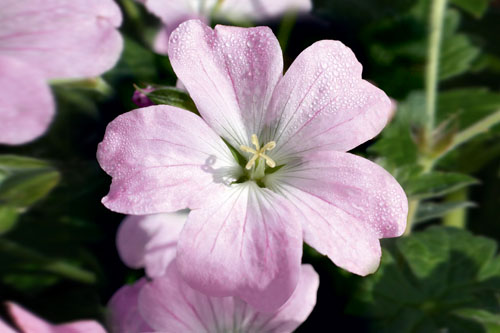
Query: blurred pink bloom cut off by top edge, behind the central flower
{"points": [[174, 12]]}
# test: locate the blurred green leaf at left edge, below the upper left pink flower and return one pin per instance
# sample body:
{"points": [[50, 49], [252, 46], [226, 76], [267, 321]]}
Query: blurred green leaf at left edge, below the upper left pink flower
{"points": [[25, 180]]}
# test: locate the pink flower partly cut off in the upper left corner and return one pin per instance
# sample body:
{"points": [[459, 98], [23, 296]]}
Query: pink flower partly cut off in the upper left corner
{"points": [[47, 39]]}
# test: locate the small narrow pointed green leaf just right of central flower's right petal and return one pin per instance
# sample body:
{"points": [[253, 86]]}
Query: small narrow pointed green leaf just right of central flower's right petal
{"points": [[436, 184]]}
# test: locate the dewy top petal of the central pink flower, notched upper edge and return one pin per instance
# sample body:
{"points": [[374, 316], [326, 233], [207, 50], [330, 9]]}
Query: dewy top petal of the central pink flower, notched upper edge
{"points": [[230, 73]]}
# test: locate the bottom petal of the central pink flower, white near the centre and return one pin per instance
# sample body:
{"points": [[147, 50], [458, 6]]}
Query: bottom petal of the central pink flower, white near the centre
{"points": [[247, 243]]}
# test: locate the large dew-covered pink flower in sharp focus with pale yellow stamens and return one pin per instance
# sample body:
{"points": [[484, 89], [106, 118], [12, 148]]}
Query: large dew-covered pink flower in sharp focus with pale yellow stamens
{"points": [[244, 234]]}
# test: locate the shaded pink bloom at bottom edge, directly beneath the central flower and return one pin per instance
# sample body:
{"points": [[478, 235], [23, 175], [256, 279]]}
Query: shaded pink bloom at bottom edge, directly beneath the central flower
{"points": [[168, 304]]}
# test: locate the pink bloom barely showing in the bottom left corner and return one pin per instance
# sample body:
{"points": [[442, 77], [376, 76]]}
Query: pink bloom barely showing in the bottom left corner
{"points": [[29, 323]]}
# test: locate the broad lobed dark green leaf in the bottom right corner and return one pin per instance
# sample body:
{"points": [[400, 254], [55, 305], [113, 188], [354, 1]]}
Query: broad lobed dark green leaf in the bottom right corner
{"points": [[428, 280]]}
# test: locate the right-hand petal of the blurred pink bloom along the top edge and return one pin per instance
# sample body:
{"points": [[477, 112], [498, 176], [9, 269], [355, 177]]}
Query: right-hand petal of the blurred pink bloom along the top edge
{"points": [[260, 10]]}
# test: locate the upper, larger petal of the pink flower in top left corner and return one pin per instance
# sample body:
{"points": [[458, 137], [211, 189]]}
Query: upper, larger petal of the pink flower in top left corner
{"points": [[64, 39]]}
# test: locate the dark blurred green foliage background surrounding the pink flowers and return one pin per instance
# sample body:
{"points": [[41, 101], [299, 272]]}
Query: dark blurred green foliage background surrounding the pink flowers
{"points": [[57, 241]]}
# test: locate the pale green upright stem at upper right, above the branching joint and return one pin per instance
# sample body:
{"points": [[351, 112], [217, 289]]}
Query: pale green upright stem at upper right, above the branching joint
{"points": [[432, 74]]}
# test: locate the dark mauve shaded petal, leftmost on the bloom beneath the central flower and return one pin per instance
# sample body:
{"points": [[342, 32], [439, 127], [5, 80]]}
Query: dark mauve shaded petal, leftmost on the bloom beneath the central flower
{"points": [[123, 314]]}
